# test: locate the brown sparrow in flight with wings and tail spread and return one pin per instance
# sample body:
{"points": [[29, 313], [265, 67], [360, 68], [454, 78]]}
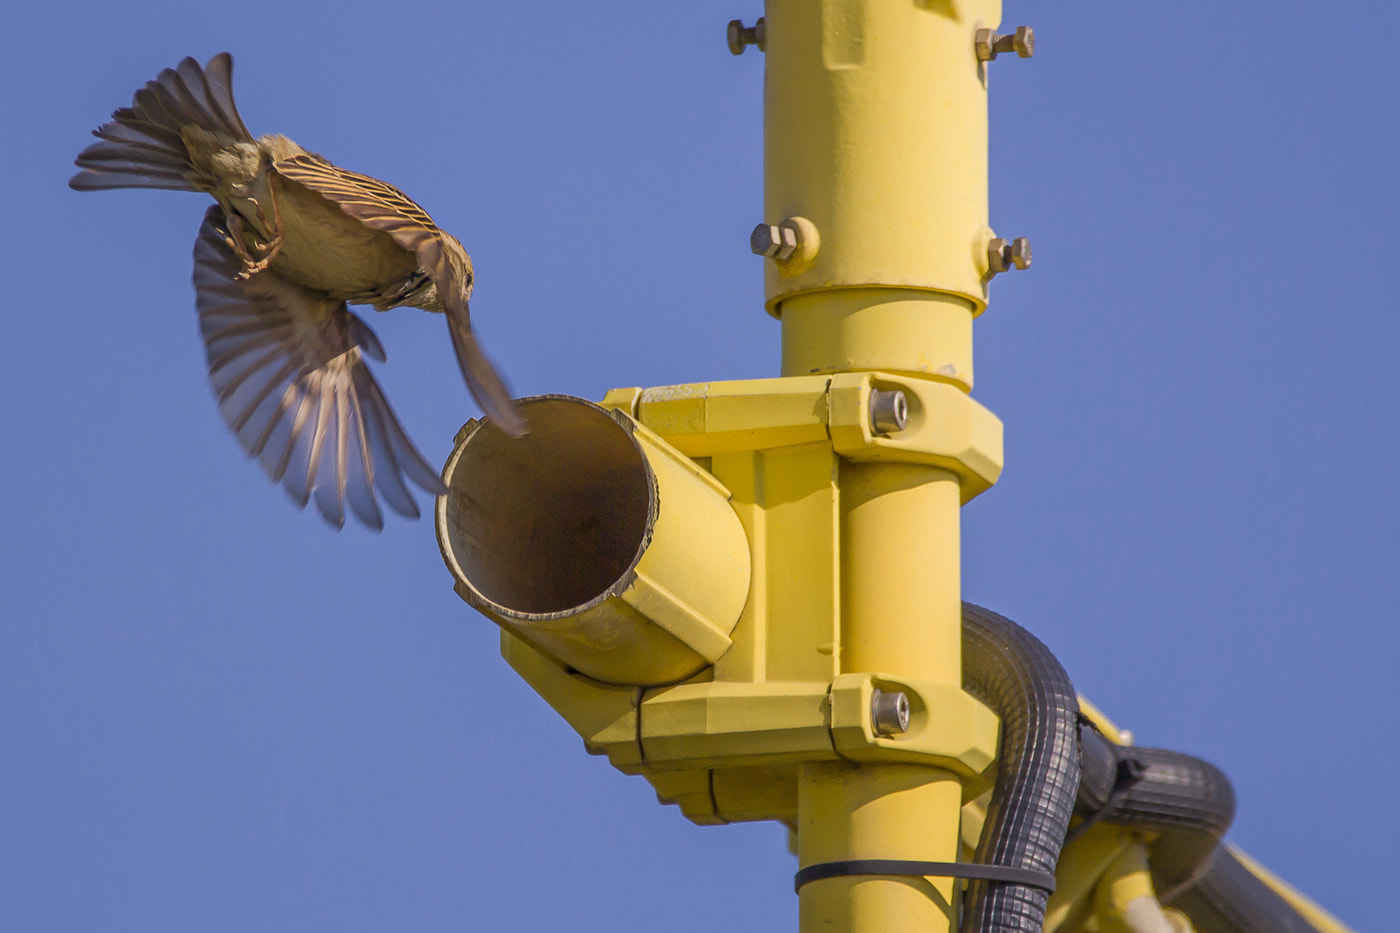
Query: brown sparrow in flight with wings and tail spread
{"points": [[289, 244]]}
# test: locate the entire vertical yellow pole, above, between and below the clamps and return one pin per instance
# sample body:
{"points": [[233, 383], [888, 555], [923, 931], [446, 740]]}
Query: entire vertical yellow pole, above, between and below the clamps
{"points": [[876, 134]]}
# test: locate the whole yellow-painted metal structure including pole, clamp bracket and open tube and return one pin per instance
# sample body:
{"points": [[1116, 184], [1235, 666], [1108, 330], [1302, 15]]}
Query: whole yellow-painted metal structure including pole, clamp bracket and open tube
{"points": [[754, 558]]}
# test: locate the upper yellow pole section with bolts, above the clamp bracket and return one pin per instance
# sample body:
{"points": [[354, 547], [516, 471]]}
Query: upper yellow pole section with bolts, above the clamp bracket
{"points": [[876, 131]]}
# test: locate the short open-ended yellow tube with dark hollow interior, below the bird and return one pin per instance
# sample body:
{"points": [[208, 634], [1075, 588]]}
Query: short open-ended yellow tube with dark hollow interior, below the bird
{"points": [[597, 541]]}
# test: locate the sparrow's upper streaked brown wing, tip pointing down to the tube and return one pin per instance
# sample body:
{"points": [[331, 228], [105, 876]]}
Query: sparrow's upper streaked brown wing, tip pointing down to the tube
{"points": [[390, 211]]}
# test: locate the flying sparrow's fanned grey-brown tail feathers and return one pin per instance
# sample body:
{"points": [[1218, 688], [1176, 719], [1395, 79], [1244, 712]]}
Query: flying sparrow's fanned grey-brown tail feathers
{"points": [[143, 145]]}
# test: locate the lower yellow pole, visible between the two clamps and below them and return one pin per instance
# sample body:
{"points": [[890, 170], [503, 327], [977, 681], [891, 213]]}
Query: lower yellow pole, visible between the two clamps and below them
{"points": [[901, 614]]}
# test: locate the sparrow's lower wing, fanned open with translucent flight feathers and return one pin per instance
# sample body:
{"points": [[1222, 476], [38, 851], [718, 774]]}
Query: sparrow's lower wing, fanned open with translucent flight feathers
{"points": [[292, 383]]}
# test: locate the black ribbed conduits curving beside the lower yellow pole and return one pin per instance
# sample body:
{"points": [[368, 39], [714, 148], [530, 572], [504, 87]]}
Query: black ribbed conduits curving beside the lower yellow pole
{"points": [[1052, 764]]}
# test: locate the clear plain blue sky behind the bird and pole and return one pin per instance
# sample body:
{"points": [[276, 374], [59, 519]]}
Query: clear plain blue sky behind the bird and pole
{"points": [[219, 715]]}
